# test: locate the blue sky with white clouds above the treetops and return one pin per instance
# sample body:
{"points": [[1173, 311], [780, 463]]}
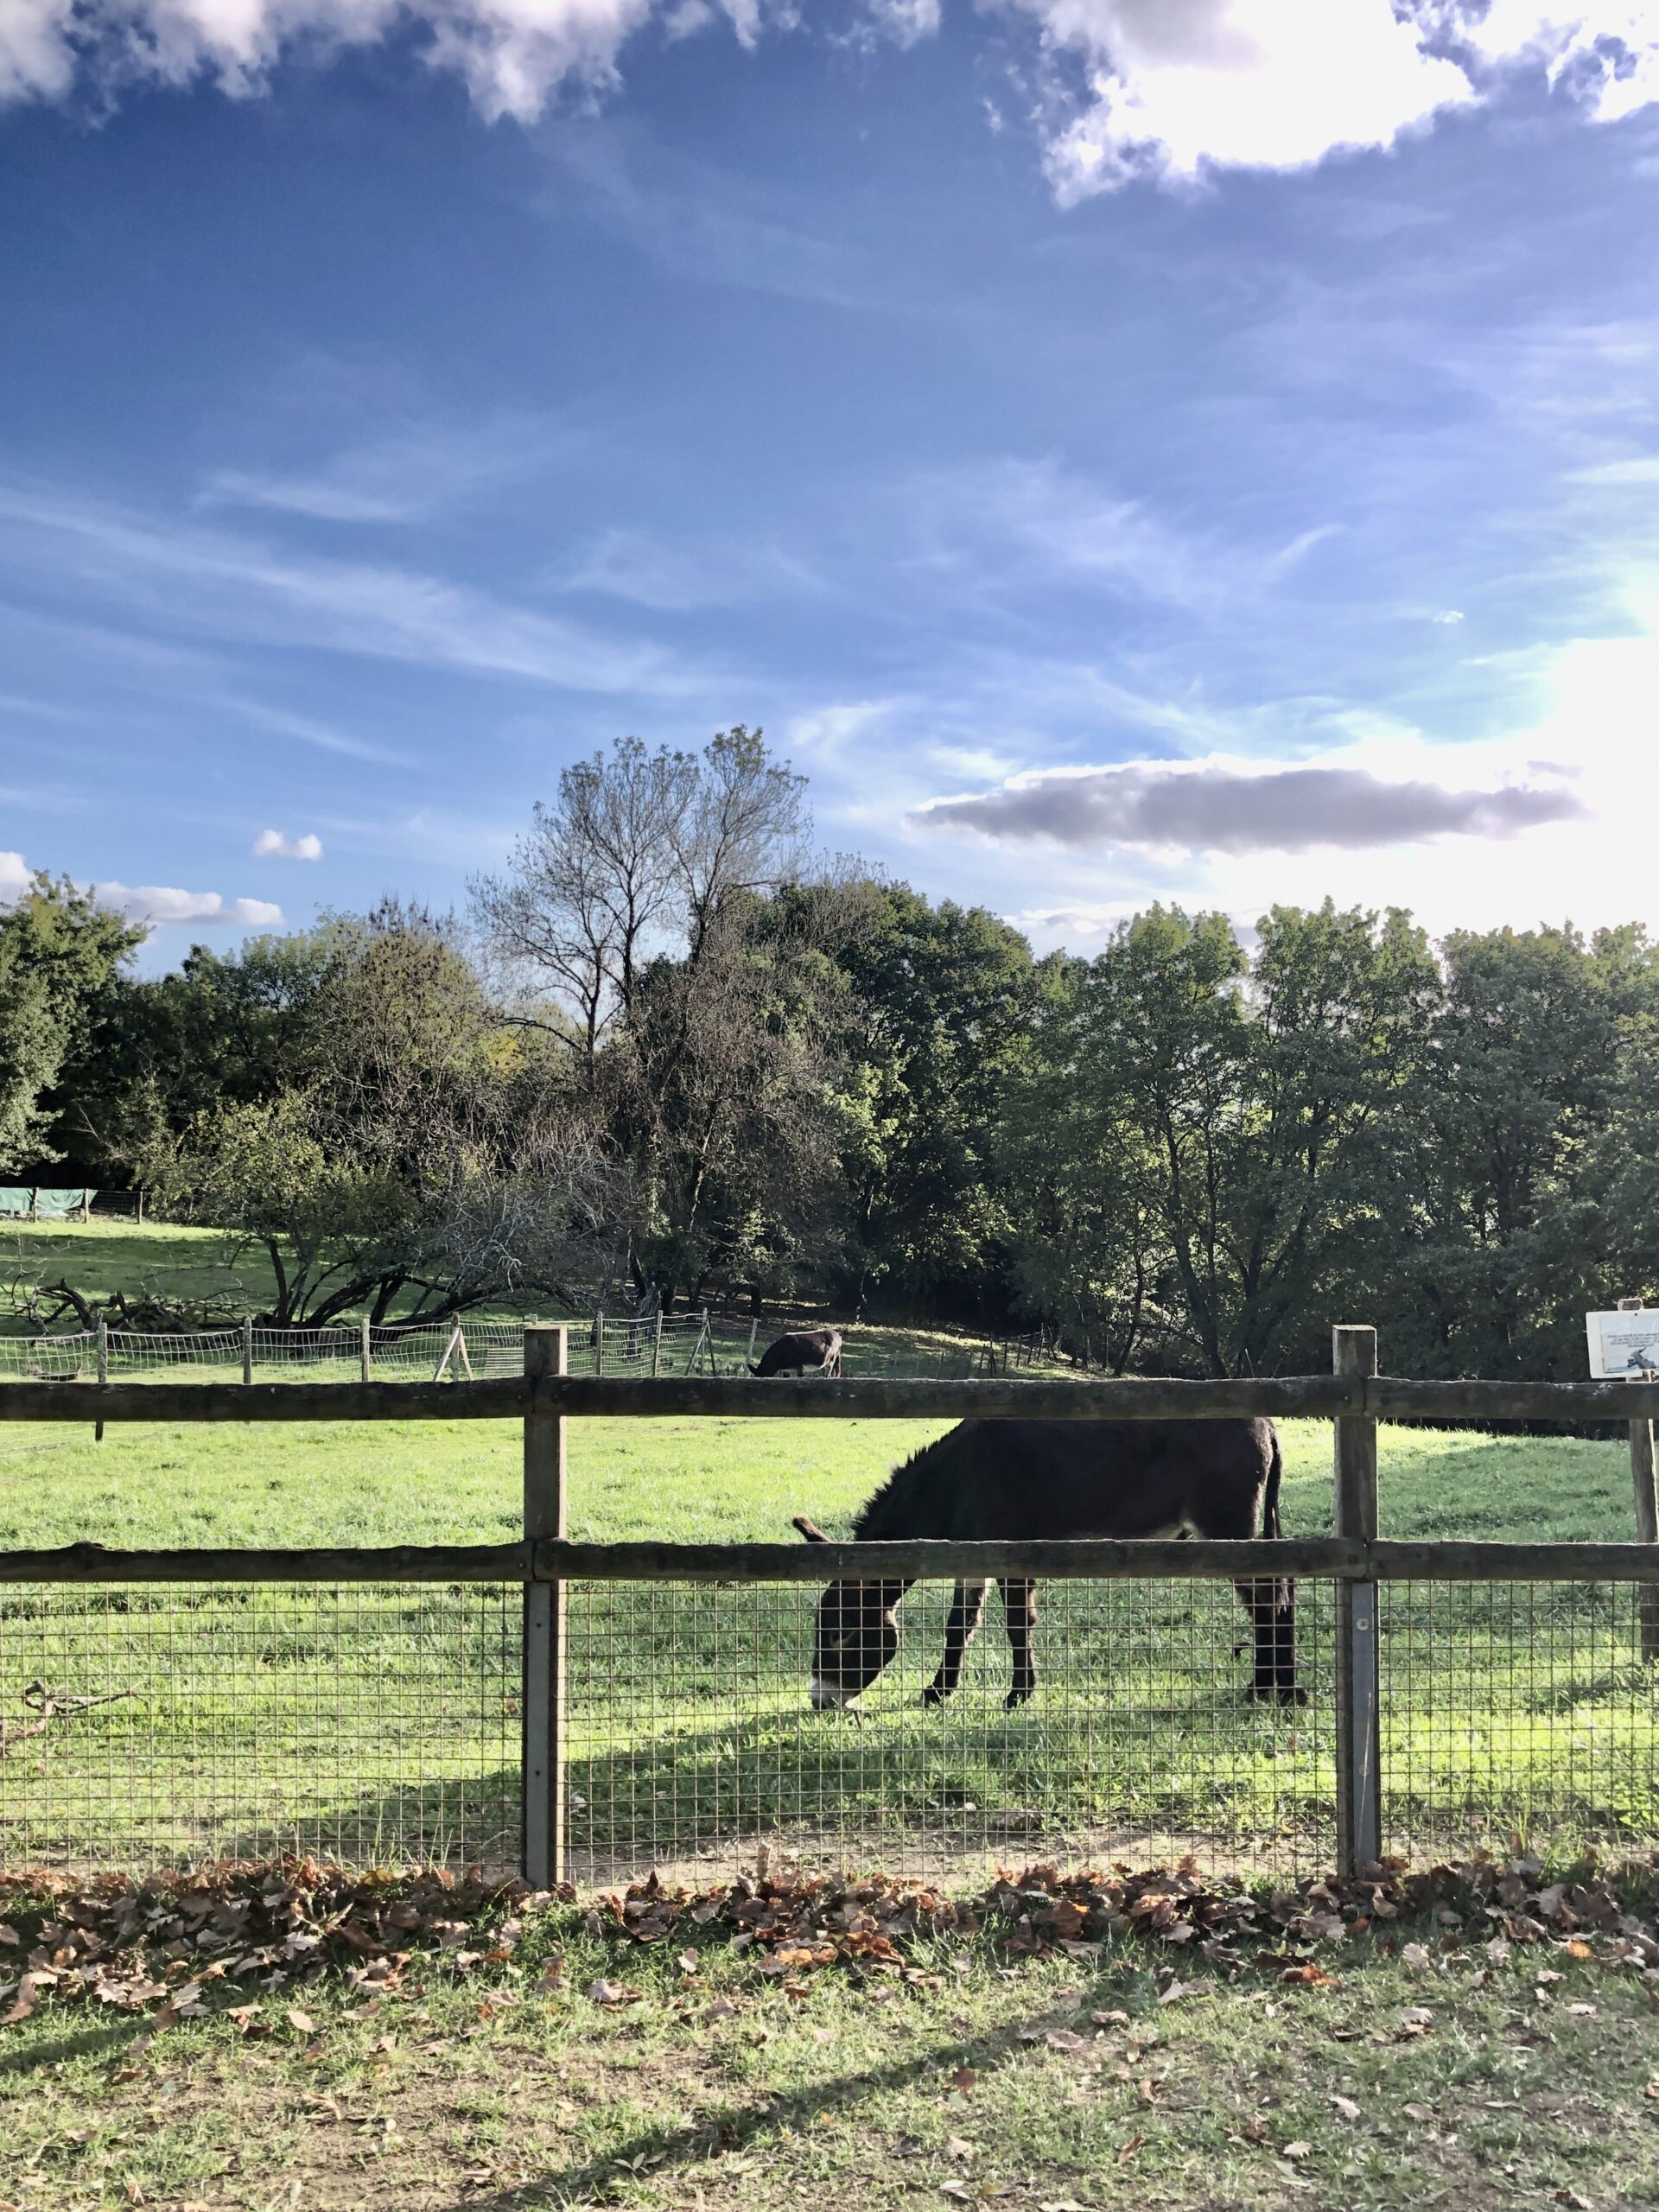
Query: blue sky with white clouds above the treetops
{"points": [[1116, 448]]}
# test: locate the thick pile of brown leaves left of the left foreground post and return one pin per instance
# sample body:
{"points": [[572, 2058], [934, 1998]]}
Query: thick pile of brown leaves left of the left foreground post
{"points": [[165, 1945]]}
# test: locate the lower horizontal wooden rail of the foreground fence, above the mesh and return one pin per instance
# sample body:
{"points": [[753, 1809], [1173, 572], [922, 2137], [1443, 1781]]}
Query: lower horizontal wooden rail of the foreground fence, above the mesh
{"points": [[1092, 1561]]}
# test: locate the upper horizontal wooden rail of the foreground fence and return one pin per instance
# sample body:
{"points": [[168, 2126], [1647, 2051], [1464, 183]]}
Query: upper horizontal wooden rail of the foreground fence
{"points": [[875, 1399]]}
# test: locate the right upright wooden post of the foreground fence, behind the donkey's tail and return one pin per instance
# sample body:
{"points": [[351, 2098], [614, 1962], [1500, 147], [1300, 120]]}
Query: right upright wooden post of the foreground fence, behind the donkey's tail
{"points": [[1359, 1735]]}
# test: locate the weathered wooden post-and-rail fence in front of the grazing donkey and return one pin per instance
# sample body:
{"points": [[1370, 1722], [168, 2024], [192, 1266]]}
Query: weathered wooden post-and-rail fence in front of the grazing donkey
{"points": [[1357, 1558]]}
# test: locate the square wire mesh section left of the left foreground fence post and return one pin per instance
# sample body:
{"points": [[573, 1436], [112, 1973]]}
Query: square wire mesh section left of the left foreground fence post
{"points": [[368, 1724]]}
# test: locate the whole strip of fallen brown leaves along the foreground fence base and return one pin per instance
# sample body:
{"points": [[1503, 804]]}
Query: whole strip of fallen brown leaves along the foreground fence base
{"points": [[165, 1948]]}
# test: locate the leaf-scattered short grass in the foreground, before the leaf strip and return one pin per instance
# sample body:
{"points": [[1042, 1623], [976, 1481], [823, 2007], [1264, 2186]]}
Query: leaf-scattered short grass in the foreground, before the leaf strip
{"points": [[1034, 2087]]}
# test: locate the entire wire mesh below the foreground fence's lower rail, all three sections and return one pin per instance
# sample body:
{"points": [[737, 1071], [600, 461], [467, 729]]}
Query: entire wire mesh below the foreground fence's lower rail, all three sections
{"points": [[379, 1724]]}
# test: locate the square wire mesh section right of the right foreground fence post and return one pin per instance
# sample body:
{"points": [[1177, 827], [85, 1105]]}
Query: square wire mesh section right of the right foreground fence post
{"points": [[1516, 1709]]}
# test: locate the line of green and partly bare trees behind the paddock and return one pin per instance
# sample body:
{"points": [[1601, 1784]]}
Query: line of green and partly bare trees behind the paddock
{"points": [[669, 1054]]}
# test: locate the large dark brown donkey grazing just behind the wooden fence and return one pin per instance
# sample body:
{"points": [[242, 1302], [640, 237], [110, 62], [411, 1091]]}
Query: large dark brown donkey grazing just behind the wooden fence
{"points": [[1056, 1479]]}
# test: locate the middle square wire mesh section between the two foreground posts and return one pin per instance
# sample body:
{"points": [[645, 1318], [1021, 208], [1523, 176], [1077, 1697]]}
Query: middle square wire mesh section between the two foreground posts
{"points": [[691, 1735]]}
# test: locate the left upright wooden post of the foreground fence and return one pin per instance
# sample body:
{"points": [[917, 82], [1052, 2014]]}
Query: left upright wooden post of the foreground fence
{"points": [[545, 1357]]}
